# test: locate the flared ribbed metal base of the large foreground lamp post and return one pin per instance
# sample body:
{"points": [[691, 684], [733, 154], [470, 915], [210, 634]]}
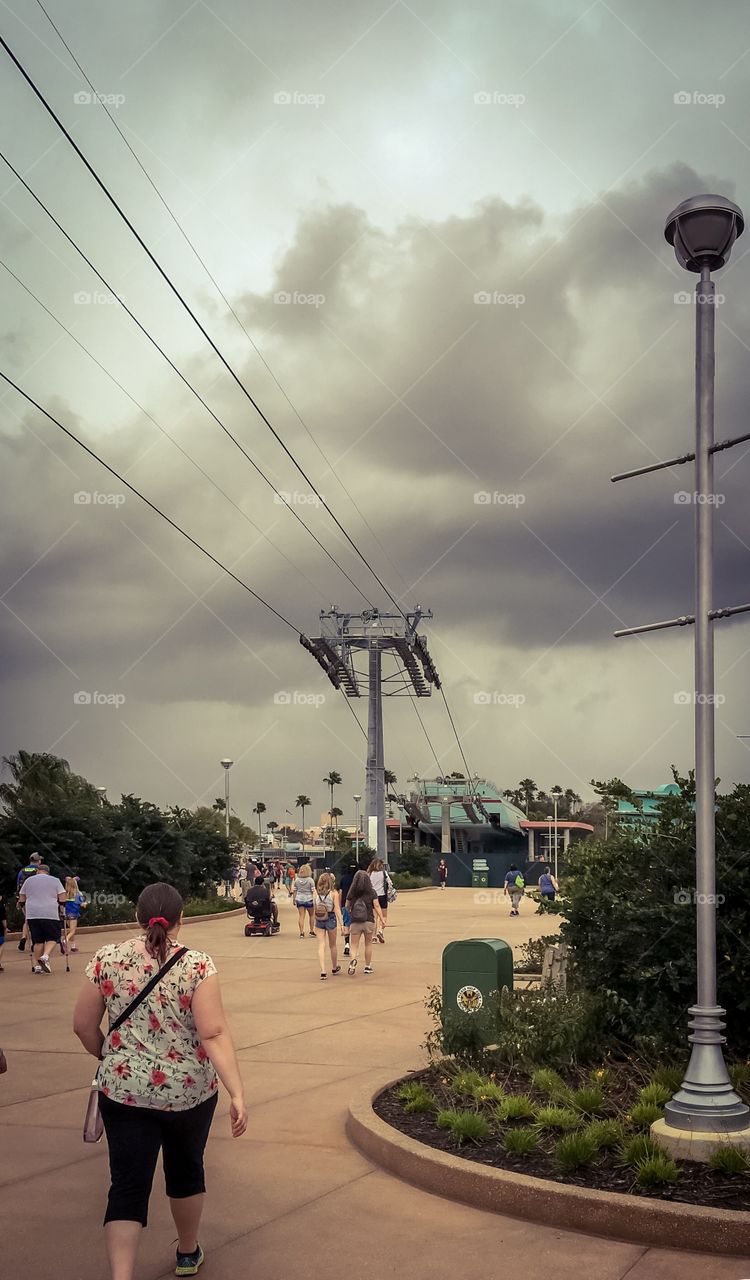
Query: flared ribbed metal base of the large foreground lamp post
{"points": [[706, 1101]]}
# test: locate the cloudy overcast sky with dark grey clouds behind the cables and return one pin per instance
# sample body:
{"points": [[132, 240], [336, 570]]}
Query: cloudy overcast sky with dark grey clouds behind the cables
{"points": [[362, 180]]}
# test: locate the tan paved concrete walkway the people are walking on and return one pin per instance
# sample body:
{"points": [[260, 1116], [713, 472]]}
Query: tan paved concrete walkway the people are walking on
{"points": [[292, 1199]]}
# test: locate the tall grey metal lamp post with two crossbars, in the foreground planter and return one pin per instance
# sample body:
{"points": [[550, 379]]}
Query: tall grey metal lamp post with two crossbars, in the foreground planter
{"points": [[703, 231]]}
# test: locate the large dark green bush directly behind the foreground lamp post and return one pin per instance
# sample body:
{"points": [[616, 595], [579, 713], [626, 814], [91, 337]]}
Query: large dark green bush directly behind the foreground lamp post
{"points": [[633, 935]]}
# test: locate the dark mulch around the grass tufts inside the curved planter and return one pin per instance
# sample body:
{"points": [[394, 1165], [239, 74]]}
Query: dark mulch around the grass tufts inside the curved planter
{"points": [[698, 1185]]}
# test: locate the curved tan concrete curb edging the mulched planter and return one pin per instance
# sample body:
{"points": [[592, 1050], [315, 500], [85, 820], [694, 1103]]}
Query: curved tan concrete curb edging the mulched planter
{"points": [[574, 1209]]}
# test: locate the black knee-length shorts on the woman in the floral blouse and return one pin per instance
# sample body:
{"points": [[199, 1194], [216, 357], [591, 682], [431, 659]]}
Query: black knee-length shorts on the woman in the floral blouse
{"points": [[135, 1137]]}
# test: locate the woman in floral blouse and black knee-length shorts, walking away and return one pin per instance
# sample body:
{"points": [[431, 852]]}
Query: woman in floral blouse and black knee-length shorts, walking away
{"points": [[158, 1086]]}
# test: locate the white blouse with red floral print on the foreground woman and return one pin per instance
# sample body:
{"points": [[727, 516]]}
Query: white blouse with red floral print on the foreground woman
{"points": [[157, 1058]]}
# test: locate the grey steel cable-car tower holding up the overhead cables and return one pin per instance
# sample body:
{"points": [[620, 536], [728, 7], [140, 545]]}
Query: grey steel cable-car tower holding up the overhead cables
{"points": [[344, 637]]}
